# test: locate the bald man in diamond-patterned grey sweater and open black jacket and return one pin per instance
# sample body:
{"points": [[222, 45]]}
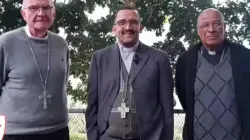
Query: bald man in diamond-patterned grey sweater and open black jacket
{"points": [[213, 84]]}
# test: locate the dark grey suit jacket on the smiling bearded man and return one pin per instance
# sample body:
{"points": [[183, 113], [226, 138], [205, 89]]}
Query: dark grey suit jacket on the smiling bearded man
{"points": [[153, 88]]}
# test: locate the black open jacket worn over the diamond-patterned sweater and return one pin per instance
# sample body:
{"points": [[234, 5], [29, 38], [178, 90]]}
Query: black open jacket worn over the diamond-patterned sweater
{"points": [[185, 78]]}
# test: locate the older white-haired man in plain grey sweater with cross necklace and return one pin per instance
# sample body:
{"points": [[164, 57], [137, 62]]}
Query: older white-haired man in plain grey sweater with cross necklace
{"points": [[33, 77]]}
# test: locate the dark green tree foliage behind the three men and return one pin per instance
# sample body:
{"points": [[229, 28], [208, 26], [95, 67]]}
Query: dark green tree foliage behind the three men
{"points": [[86, 35]]}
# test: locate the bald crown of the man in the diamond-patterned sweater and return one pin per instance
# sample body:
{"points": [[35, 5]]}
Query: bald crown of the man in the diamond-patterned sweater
{"points": [[208, 12]]}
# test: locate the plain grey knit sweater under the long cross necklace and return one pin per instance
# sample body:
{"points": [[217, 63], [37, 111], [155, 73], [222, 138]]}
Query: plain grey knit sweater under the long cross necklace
{"points": [[21, 85]]}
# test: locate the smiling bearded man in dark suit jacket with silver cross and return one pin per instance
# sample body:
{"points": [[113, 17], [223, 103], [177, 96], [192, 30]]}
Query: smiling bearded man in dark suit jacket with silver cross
{"points": [[130, 87]]}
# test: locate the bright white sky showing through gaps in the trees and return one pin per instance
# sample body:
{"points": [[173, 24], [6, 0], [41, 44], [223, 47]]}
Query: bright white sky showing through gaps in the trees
{"points": [[147, 37]]}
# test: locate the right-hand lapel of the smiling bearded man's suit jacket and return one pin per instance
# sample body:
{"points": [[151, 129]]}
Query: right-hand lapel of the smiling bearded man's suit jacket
{"points": [[142, 57]]}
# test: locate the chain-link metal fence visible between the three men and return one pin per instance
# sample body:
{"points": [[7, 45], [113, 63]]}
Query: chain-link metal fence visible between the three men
{"points": [[78, 131]]}
